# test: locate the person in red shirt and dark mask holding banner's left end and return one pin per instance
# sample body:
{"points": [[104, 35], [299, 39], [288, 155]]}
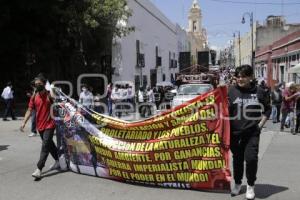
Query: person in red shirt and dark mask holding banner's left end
{"points": [[41, 103]]}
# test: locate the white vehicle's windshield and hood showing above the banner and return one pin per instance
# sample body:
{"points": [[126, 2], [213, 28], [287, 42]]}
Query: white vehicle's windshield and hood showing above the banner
{"points": [[187, 92]]}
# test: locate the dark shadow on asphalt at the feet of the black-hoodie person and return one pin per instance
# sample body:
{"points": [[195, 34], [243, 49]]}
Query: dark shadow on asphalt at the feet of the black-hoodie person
{"points": [[263, 191]]}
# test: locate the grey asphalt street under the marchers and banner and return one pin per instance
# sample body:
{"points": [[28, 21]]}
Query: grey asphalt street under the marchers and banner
{"points": [[278, 174]]}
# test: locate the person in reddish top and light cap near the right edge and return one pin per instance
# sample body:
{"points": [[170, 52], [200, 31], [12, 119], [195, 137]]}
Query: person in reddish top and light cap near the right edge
{"points": [[289, 96]]}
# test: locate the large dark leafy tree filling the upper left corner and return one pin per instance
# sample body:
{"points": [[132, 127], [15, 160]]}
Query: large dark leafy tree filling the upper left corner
{"points": [[58, 37]]}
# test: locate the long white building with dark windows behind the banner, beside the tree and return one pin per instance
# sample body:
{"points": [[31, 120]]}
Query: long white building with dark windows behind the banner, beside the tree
{"points": [[154, 41]]}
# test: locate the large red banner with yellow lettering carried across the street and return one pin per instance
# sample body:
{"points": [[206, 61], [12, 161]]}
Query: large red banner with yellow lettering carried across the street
{"points": [[186, 147]]}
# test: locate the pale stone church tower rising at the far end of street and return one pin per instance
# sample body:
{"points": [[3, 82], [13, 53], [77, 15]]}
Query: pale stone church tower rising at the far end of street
{"points": [[197, 34]]}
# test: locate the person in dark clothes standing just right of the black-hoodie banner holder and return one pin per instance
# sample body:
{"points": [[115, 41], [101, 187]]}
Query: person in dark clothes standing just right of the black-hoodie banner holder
{"points": [[276, 100]]}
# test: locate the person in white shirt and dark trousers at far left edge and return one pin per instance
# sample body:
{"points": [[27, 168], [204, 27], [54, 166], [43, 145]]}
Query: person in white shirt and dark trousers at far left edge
{"points": [[8, 96]]}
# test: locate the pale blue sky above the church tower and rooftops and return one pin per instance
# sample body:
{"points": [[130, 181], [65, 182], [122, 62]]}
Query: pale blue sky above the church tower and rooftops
{"points": [[221, 19]]}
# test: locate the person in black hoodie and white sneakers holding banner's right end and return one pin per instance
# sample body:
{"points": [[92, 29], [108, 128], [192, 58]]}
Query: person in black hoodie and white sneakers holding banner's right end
{"points": [[248, 111]]}
